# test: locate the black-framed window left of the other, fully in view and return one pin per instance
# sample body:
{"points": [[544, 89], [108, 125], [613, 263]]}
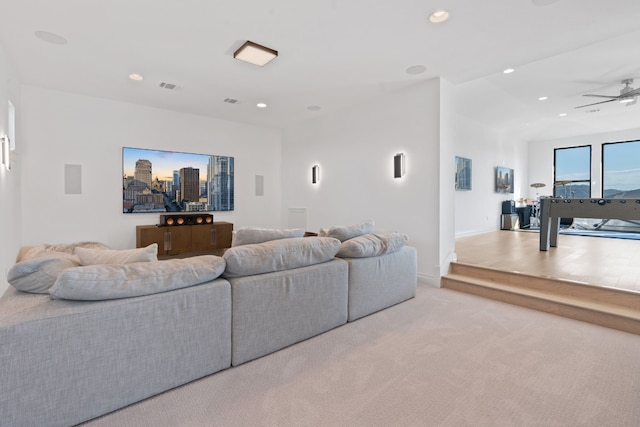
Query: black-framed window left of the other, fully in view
{"points": [[572, 172]]}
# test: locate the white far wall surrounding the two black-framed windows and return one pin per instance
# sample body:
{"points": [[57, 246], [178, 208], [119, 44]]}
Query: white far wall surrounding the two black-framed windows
{"points": [[541, 158]]}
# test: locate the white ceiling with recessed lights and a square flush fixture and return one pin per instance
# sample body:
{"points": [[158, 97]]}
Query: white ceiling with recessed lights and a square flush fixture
{"points": [[337, 53]]}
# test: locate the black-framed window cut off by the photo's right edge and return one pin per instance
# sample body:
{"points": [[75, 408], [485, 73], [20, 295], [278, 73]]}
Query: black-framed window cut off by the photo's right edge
{"points": [[621, 169]]}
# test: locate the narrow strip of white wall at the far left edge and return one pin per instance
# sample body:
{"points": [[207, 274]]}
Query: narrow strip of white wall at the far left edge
{"points": [[10, 212]]}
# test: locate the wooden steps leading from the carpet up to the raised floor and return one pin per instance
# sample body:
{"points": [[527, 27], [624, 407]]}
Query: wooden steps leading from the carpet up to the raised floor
{"points": [[613, 308]]}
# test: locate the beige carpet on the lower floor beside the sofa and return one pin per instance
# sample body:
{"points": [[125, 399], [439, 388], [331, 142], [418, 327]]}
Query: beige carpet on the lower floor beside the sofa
{"points": [[442, 359]]}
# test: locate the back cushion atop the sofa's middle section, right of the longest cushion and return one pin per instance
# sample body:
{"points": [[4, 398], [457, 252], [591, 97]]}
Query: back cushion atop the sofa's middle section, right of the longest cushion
{"points": [[277, 255]]}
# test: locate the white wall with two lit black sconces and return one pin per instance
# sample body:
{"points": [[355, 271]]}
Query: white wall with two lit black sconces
{"points": [[354, 149]]}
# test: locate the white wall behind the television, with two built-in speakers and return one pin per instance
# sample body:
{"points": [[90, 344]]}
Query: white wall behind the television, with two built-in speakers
{"points": [[62, 128]]}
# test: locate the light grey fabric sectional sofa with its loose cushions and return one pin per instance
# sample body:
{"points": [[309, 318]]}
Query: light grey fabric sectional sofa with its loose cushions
{"points": [[145, 327]]}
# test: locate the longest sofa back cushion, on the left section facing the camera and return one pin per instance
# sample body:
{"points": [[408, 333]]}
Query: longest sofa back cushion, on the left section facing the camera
{"points": [[111, 281]]}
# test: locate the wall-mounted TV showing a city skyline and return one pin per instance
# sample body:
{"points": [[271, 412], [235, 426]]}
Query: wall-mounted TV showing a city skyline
{"points": [[172, 181]]}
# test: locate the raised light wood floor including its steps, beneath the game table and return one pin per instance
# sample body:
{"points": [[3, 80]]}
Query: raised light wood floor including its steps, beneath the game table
{"points": [[591, 279]]}
